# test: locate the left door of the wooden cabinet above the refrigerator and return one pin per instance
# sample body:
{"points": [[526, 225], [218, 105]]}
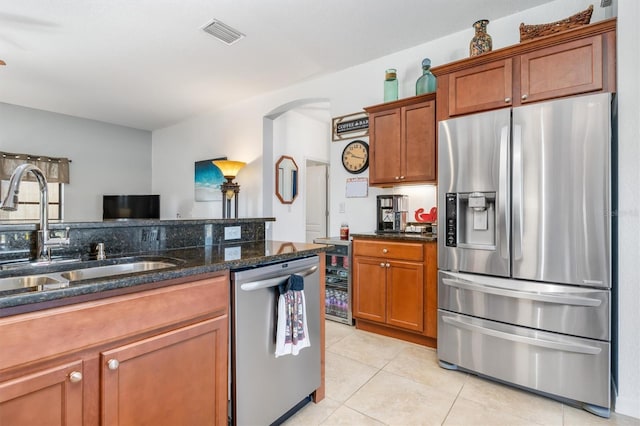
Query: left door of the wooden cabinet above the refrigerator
{"points": [[481, 88]]}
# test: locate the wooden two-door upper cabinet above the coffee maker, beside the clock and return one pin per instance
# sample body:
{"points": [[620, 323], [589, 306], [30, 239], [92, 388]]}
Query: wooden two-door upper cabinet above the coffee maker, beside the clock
{"points": [[402, 142]]}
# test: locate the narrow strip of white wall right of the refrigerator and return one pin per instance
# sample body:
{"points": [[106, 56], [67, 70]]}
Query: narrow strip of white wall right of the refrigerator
{"points": [[629, 207]]}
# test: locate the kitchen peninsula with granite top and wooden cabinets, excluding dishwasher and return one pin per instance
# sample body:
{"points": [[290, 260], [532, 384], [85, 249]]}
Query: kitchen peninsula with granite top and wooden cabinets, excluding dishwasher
{"points": [[116, 348]]}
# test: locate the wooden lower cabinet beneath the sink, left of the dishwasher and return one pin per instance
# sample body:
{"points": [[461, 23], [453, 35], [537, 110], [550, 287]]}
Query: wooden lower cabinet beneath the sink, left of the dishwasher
{"points": [[152, 357]]}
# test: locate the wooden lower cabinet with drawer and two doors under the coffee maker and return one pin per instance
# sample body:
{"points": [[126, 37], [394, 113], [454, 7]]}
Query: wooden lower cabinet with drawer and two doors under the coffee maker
{"points": [[394, 289]]}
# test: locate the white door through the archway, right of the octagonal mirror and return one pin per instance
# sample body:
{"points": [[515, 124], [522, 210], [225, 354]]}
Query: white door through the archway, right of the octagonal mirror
{"points": [[316, 204]]}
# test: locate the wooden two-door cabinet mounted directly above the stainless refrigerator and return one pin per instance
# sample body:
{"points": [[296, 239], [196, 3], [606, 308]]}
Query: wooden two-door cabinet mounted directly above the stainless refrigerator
{"points": [[569, 63]]}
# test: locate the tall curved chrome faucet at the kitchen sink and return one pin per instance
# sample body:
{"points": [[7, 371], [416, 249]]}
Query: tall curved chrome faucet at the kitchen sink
{"points": [[10, 202]]}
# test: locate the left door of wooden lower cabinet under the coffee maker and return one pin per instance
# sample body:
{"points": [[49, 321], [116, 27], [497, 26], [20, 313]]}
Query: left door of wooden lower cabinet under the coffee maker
{"points": [[369, 289]]}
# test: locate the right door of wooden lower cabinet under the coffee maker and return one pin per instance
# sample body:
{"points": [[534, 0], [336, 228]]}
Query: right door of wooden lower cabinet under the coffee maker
{"points": [[405, 295]]}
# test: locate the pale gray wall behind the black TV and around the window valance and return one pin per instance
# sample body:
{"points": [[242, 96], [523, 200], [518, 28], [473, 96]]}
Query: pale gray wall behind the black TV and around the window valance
{"points": [[106, 159]]}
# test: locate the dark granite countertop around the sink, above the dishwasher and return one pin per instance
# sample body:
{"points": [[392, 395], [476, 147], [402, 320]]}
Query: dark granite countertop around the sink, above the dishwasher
{"points": [[190, 261]]}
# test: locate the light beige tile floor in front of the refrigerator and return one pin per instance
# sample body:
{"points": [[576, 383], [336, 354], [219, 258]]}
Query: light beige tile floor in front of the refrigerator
{"points": [[377, 380]]}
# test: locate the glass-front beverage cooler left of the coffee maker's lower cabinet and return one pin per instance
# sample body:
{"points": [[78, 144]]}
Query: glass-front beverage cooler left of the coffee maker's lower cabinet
{"points": [[338, 280]]}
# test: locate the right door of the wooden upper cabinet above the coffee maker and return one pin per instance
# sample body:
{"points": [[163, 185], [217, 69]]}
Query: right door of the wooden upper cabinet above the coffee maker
{"points": [[418, 150]]}
